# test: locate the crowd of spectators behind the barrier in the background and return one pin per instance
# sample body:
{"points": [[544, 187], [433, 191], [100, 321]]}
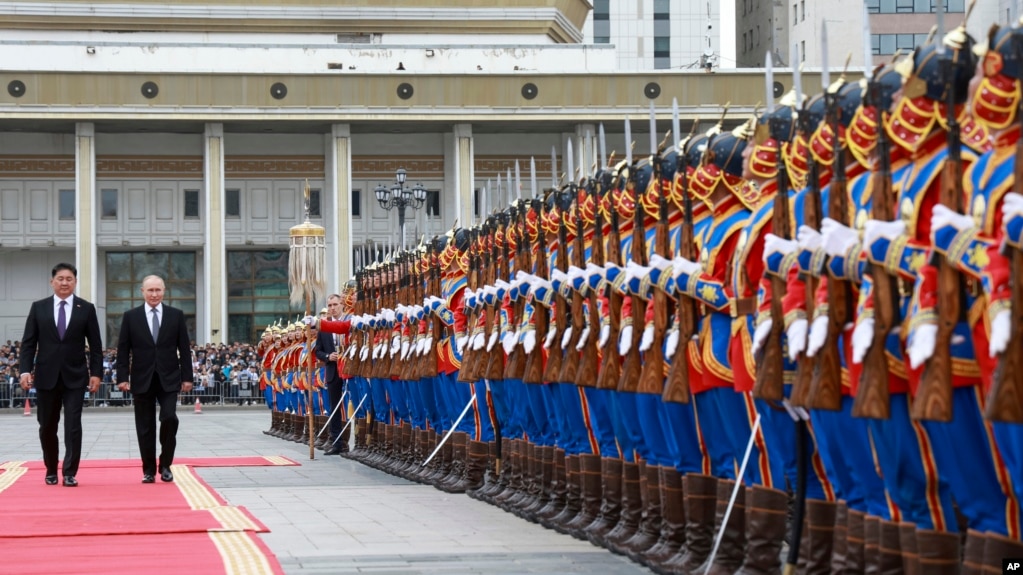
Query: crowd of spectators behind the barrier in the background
{"points": [[225, 374]]}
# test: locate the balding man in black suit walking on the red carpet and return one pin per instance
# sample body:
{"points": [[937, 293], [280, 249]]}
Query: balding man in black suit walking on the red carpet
{"points": [[155, 364]]}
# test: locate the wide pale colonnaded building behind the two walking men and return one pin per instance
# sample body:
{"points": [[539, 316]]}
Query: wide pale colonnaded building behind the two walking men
{"points": [[143, 138]]}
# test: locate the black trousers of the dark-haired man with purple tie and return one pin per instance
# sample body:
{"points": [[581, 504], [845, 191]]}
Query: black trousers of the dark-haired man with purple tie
{"points": [[50, 404]]}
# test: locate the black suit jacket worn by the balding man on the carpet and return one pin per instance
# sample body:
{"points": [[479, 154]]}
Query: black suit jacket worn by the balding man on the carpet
{"points": [[140, 358]]}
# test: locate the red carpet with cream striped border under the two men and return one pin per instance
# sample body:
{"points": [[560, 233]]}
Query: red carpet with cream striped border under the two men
{"points": [[186, 524]]}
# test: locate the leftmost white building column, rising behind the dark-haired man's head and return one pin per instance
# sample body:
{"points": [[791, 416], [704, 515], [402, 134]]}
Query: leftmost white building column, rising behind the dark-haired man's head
{"points": [[85, 212]]}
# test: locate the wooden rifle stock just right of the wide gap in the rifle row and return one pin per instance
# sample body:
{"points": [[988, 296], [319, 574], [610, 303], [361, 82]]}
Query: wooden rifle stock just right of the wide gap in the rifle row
{"points": [[770, 384]]}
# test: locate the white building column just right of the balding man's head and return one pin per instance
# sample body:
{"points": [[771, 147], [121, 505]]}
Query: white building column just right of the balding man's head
{"points": [[215, 256]]}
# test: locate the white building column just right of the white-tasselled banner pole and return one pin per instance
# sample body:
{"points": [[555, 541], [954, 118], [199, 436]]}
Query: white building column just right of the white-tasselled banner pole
{"points": [[339, 214]]}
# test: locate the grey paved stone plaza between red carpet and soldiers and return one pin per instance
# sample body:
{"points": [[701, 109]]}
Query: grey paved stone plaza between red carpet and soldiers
{"points": [[332, 515]]}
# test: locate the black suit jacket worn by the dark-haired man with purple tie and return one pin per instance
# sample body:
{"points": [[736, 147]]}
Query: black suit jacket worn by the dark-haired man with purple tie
{"points": [[43, 351]]}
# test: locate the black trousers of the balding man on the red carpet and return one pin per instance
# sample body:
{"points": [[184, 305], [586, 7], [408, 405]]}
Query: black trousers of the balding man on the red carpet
{"points": [[146, 426]]}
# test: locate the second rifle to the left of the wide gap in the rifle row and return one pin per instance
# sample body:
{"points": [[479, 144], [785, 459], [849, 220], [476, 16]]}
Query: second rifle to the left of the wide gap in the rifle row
{"points": [[652, 376]]}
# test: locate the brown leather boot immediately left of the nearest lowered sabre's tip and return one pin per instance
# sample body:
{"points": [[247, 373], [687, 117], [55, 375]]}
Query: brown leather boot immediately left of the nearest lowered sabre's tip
{"points": [[701, 506]]}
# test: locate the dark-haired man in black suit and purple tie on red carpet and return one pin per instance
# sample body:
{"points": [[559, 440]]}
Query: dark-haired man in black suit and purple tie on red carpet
{"points": [[56, 361]]}
